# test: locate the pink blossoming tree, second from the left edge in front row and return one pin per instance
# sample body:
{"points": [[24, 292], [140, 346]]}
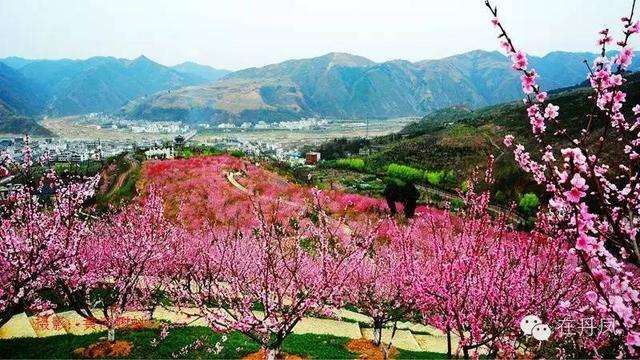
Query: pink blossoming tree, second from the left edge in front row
{"points": [[118, 267]]}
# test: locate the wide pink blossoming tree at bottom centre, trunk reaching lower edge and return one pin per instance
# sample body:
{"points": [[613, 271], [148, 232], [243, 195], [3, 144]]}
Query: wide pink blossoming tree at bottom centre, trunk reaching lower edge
{"points": [[263, 278]]}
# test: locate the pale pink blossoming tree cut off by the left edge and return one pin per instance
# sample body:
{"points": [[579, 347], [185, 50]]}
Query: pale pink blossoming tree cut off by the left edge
{"points": [[40, 233]]}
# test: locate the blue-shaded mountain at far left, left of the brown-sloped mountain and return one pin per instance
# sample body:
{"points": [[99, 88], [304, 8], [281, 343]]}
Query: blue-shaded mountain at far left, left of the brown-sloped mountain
{"points": [[98, 84]]}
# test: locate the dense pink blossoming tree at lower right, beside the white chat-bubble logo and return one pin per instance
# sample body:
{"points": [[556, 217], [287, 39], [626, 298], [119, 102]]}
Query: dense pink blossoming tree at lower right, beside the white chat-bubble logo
{"points": [[475, 278]]}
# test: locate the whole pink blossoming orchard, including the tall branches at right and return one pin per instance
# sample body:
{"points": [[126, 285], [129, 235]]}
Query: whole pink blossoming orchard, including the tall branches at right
{"points": [[257, 260]]}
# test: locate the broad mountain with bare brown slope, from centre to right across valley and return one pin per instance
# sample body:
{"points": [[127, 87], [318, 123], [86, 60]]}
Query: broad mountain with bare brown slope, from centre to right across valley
{"points": [[348, 86]]}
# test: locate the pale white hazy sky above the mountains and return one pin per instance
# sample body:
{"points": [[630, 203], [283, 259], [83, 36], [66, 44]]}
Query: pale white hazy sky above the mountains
{"points": [[236, 34]]}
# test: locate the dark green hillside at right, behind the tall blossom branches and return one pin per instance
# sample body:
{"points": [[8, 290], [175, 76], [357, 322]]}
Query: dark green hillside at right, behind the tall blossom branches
{"points": [[459, 139]]}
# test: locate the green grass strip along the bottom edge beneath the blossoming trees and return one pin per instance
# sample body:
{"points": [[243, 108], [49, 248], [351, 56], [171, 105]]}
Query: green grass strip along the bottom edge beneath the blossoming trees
{"points": [[237, 345]]}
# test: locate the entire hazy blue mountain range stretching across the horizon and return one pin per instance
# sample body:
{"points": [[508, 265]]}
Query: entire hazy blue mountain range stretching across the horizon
{"points": [[334, 85]]}
